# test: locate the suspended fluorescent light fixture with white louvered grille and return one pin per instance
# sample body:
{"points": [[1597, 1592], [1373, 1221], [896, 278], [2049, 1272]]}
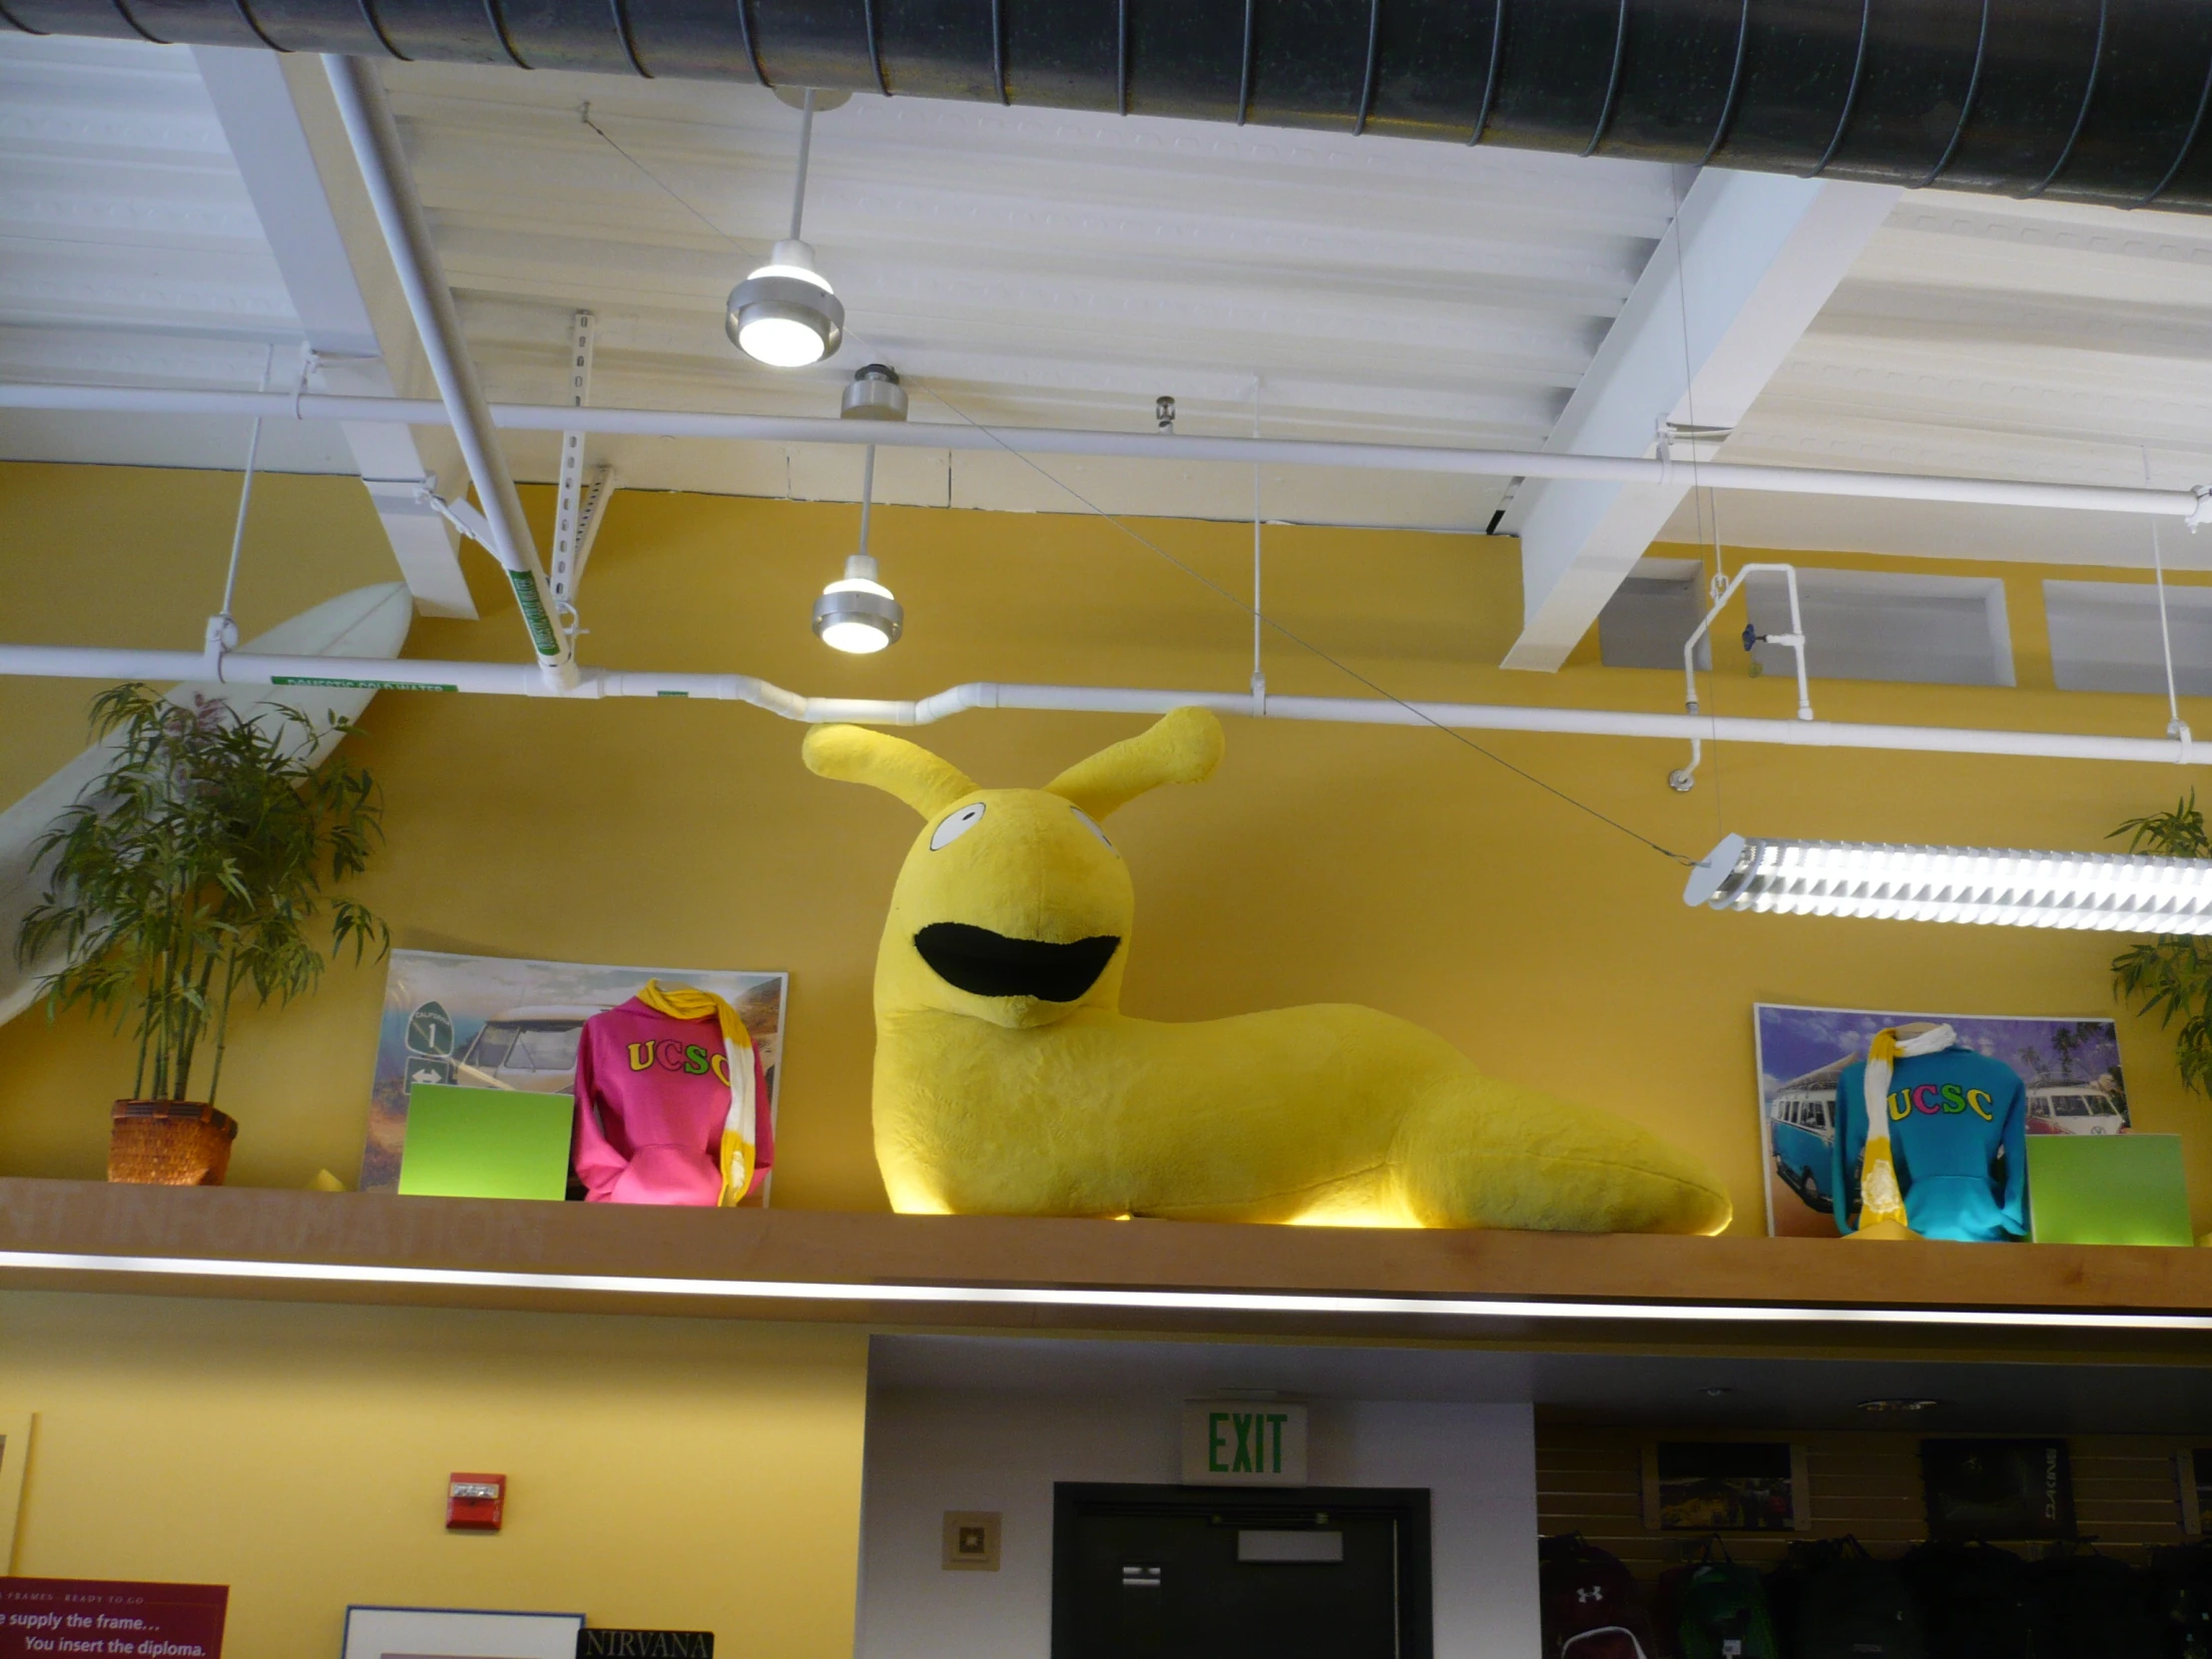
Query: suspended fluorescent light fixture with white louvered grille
{"points": [[1990, 886]]}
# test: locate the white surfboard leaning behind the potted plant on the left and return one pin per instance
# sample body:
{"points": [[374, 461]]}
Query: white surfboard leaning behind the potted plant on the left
{"points": [[366, 623]]}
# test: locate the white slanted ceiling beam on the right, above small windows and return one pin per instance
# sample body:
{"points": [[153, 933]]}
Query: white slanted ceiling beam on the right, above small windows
{"points": [[1731, 289]]}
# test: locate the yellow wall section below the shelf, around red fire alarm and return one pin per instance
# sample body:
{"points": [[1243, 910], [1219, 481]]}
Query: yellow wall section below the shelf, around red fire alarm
{"points": [[662, 1472]]}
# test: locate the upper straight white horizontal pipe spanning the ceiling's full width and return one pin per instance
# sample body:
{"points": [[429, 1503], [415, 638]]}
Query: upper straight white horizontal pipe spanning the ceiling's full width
{"points": [[1140, 446]]}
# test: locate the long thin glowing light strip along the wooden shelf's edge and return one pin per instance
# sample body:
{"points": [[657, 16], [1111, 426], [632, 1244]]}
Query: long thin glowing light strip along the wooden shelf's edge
{"points": [[1200, 1302]]}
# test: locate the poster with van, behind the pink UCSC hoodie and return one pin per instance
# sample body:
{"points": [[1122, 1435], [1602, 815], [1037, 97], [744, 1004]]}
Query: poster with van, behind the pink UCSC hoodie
{"points": [[512, 1023]]}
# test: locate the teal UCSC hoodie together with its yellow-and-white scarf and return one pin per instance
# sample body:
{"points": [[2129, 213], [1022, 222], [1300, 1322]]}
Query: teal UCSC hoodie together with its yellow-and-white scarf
{"points": [[1932, 1142]]}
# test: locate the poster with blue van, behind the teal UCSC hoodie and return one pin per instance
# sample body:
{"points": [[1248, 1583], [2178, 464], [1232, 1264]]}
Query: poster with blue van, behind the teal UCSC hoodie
{"points": [[2069, 1067]]}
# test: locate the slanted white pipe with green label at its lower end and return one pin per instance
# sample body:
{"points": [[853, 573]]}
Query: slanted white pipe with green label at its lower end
{"points": [[384, 169]]}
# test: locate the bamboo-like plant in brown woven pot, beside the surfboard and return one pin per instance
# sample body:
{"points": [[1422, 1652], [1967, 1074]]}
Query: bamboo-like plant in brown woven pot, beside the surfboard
{"points": [[189, 873]]}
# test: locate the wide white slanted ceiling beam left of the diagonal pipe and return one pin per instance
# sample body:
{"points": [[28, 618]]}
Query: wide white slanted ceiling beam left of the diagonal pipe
{"points": [[271, 147]]}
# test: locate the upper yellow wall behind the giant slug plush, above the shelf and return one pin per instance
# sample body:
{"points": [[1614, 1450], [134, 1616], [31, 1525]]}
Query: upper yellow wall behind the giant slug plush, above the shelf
{"points": [[1395, 868]]}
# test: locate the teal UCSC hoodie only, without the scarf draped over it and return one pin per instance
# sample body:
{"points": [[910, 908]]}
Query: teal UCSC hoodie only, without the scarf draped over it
{"points": [[1952, 1118]]}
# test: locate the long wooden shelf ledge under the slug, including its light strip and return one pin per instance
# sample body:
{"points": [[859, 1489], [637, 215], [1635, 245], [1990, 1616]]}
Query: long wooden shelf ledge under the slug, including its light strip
{"points": [[1142, 1277]]}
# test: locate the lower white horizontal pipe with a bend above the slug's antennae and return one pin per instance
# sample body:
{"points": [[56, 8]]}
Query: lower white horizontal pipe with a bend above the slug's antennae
{"points": [[523, 680]]}
